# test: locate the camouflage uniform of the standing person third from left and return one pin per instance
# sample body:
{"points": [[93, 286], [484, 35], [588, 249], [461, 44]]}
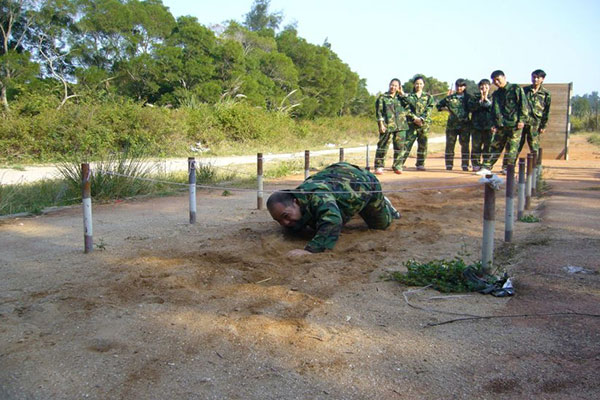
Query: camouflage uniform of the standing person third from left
{"points": [[458, 125]]}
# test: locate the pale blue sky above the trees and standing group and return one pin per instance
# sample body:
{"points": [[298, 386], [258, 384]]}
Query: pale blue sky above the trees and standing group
{"points": [[446, 39]]}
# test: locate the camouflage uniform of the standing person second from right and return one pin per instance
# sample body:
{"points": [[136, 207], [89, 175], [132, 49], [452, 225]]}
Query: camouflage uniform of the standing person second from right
{"points": [[509, 107]]}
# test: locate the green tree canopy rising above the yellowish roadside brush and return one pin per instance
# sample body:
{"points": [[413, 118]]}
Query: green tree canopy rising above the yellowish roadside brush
{"points": [[82, 50]]}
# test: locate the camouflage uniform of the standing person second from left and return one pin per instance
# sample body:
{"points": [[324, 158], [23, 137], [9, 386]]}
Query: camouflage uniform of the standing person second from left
{"points": [[420, 107]]}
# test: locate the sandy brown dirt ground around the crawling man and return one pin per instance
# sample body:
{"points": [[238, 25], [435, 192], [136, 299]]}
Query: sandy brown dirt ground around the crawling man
{"points": [[162, 309]]}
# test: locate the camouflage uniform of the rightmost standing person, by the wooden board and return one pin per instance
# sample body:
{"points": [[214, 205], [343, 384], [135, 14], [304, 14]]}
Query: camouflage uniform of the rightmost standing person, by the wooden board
{"points": [[539, 111]]}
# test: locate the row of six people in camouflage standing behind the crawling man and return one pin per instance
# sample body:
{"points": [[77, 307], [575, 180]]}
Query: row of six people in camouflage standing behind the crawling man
{"points": [[511, 117]]}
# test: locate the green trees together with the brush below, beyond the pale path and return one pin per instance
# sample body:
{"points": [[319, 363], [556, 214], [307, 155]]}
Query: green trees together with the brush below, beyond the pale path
{"points": [[84, 78]]}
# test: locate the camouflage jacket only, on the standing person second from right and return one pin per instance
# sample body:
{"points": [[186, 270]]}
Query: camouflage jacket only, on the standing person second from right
{"points": [[509, 106]]}
